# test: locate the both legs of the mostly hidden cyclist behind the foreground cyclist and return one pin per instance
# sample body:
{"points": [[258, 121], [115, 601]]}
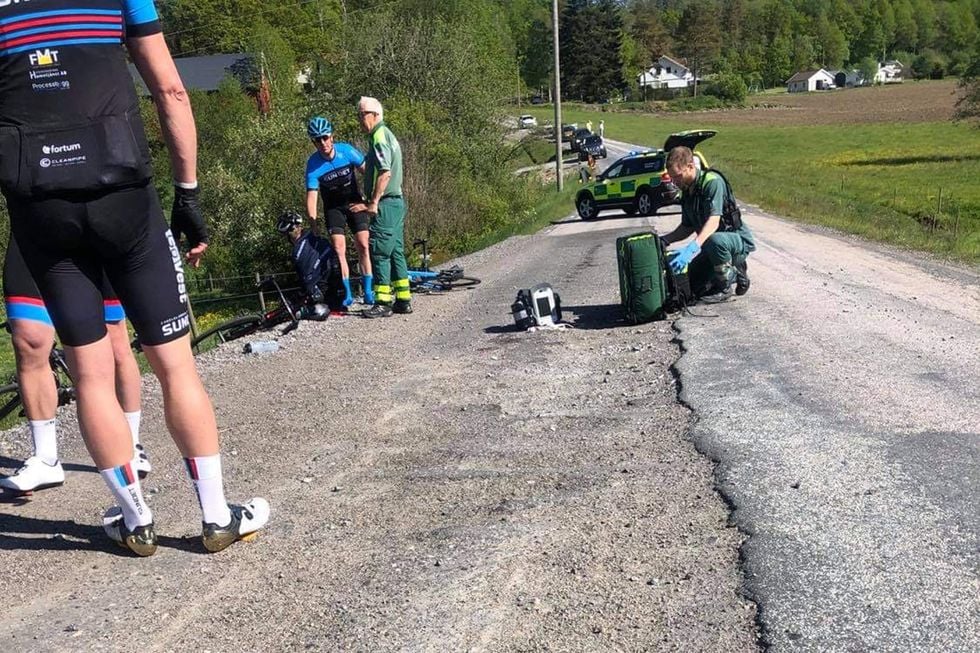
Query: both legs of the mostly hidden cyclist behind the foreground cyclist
{"points": [[32, 335]]}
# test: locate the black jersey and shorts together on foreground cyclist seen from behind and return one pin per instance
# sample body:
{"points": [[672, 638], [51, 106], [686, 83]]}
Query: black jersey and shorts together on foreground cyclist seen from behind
{"points": [[75, 167]]}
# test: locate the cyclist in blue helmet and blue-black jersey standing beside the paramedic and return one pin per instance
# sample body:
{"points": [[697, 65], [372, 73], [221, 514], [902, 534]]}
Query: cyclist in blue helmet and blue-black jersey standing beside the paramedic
{"points": [[330, 174]]}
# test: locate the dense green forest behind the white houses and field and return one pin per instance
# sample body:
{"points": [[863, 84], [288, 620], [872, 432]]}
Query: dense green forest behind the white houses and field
{"points": [[606, 44]]}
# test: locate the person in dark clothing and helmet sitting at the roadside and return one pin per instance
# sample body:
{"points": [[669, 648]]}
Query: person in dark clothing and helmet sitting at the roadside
{"points": [[315, 261]]}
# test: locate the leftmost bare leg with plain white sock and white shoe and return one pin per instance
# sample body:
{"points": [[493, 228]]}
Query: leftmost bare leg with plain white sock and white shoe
{"points": [[32, 341]]}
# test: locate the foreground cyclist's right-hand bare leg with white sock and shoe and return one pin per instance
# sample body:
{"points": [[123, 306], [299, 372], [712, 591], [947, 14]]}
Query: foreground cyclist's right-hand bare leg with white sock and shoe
{"points": [[190, 418]]}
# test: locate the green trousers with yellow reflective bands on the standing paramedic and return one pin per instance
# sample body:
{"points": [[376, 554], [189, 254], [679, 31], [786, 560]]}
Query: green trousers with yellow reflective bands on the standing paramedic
{"points": [[387, 237]]}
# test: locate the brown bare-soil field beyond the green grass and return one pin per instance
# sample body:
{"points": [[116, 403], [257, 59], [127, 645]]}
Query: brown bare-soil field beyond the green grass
{"points": [[908, 102]]}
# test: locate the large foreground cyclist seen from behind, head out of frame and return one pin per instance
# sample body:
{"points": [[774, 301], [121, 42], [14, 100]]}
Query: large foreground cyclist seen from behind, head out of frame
{"points": [[75, 172]]}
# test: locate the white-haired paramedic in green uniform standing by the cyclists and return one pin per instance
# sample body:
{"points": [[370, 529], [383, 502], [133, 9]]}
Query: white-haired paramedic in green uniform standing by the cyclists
{"points": [[383, 187]]}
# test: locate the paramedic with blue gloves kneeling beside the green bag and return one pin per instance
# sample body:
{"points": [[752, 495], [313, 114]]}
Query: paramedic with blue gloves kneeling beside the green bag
{"points": [[722, 242]]}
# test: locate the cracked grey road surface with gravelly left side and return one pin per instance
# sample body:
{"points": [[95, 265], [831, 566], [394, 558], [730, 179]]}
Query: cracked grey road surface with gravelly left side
{"points": [[441, 481]]}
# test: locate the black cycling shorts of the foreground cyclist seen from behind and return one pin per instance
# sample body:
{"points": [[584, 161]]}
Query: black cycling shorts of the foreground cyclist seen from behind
{"points": [[67, 243]]}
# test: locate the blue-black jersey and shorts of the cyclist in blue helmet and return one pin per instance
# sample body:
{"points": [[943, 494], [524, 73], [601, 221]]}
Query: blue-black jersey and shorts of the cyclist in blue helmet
{"points": [[337, 184]]}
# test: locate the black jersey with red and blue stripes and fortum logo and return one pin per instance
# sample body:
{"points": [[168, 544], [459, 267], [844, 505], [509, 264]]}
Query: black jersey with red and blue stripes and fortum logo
{"points": [[69, 118]]}
